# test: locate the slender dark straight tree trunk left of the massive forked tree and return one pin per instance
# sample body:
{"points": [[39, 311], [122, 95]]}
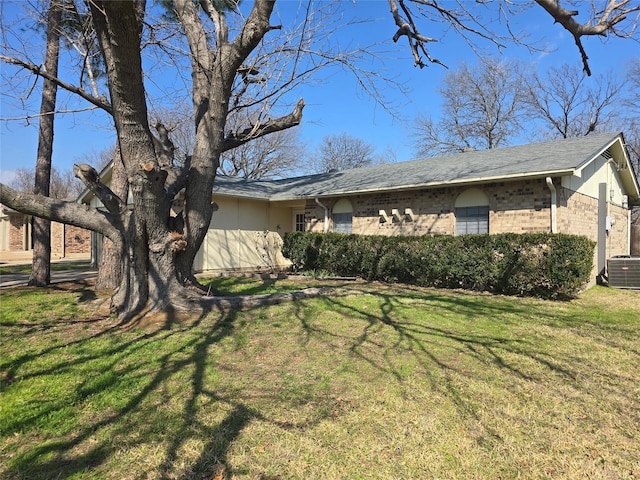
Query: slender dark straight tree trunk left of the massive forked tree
{"points": [[41, 267]]}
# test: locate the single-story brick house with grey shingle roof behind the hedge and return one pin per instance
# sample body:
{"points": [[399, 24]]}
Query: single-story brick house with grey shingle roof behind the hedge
{"points": [[583, 186]]}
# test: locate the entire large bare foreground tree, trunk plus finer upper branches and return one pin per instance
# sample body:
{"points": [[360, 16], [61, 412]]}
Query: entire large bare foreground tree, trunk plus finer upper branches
{"points": [[226, 60]]}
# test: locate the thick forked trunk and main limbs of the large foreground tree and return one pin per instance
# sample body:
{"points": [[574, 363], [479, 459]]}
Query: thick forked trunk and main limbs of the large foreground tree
{"points": [[156, 251]]}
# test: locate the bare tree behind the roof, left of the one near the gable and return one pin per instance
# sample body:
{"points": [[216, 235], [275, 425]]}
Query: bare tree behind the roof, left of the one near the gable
{"points": [[481, 109]]}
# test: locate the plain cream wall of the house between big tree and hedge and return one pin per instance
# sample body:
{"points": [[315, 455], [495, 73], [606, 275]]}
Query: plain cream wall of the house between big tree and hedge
{"points": [[245, 235]]}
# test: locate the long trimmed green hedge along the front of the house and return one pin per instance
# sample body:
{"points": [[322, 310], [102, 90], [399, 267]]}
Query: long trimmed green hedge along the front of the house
{"points": [[541, 265]]}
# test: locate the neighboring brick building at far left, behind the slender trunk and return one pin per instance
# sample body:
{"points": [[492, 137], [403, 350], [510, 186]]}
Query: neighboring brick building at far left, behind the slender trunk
{"points": [[16, 229]]}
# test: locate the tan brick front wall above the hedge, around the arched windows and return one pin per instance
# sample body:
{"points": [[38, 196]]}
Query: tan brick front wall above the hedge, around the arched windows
{"points": [[520, 207]]}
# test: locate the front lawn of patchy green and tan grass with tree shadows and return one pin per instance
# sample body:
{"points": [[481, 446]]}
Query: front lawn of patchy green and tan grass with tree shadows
{"points": [[374, 382]]}
